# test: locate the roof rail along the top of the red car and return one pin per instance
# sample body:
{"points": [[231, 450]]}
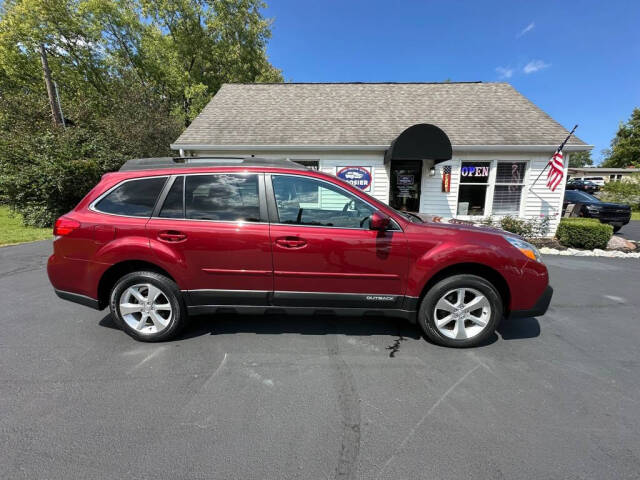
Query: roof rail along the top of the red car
{"points": [[186, 162]]}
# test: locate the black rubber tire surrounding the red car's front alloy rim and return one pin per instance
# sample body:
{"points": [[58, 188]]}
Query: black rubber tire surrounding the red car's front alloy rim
{"points": [[426, 312]]}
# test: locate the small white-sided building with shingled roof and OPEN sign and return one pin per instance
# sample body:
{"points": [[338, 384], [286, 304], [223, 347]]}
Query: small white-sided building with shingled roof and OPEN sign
{"points": [[400, 140]]}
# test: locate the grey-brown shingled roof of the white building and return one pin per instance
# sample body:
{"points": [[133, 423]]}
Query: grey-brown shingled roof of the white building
{"points": [[369, 114]]}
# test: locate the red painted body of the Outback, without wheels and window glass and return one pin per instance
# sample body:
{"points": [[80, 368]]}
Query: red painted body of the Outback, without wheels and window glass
{"points": [[268, 263]]}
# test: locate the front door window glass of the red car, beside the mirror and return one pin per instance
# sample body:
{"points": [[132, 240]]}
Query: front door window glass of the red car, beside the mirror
{"points": [[307, 201]]}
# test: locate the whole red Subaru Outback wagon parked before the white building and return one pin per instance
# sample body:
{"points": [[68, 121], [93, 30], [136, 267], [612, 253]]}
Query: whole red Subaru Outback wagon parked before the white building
{"points": [[165, 238]]}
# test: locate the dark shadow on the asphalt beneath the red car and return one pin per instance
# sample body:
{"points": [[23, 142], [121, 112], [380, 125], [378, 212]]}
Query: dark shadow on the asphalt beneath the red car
{"points": [[270, 324]]}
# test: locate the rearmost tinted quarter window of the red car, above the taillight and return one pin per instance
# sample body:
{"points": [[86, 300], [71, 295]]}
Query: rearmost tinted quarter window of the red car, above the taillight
{"points": [[134, 198]]}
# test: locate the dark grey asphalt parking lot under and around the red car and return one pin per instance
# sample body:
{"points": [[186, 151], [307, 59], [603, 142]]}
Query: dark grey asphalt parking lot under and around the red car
{"points": [[320, 397]]}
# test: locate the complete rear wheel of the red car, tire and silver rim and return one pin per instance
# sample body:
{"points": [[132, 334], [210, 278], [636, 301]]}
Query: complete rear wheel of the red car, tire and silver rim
{"points": [[148, 306]]}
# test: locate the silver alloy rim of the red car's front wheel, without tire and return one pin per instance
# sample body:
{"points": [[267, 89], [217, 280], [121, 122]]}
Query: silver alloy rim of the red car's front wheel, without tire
{"points": [[462, 313]]}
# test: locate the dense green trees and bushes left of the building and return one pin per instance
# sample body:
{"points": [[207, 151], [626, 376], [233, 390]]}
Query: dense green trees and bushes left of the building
{"points": [[131, 74]]}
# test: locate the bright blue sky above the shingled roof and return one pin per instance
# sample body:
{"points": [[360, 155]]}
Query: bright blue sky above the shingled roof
{"points": [[578, 61]]}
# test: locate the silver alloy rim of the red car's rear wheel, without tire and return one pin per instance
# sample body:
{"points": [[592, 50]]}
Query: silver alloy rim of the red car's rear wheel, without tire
{"points": [[145, 308]]}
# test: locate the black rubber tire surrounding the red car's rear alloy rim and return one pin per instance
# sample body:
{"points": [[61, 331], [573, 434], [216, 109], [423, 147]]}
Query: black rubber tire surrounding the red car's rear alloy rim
{"points": [[170, 291]]}
